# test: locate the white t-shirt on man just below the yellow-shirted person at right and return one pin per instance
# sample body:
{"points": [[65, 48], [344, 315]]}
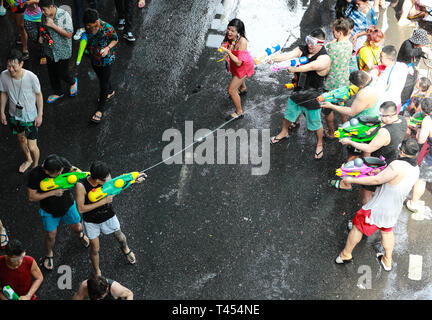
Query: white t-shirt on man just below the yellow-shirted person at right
{"points": [[391, 83]]}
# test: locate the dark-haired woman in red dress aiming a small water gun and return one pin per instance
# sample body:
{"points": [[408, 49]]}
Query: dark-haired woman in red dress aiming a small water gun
{"points": [[241, 63]]}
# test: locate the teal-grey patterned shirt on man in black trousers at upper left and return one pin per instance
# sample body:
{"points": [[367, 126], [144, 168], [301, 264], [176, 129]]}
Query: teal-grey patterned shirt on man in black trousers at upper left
{"points": [[61, 48]]}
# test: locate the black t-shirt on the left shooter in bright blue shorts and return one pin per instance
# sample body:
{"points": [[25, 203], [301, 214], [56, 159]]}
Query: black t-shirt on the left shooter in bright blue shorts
{"points": [[57, 206]]}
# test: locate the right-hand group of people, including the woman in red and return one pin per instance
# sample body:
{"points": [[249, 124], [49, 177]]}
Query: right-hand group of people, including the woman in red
{"points": [[386, 85]]}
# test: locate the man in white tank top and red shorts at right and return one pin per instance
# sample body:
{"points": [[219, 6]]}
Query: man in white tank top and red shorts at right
{"points": [[383, 210]]}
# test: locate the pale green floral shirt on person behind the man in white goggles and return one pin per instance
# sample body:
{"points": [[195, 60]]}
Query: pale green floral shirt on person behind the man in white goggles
{"points": [[341, 55]]}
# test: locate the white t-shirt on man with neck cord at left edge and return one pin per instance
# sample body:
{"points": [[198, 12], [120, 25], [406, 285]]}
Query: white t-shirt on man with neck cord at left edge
{"points": [[23, 91]]}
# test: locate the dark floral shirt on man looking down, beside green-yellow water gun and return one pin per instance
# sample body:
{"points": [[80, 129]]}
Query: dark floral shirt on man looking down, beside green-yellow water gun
{"points": [[96, 42]]}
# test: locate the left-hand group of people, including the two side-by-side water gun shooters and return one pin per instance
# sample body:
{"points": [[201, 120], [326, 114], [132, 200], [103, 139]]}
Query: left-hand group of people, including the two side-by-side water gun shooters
{"points": [[51, 27]]}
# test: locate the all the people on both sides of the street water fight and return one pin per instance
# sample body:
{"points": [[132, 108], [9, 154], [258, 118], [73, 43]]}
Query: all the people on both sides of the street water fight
{"points": [[387, 87]]}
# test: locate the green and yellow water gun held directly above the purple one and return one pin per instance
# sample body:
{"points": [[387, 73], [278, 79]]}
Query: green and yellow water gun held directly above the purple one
{"points": [[361, 129]]}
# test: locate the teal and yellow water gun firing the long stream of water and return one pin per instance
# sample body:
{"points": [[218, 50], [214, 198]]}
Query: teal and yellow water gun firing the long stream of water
{"points": [[113, 186]]}
